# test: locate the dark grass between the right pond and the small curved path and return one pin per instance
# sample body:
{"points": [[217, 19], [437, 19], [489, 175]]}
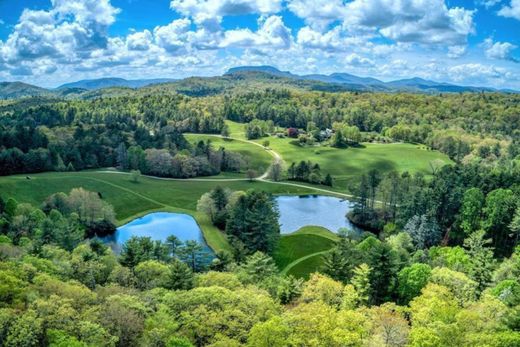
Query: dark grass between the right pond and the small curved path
{"points": [[302, 243]]}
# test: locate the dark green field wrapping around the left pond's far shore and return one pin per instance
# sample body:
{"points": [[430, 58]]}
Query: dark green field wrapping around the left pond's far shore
{"points": [[131, 199]]}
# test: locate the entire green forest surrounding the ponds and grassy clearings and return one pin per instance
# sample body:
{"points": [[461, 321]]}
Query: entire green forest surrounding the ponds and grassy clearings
{"points": [[438, 264]]}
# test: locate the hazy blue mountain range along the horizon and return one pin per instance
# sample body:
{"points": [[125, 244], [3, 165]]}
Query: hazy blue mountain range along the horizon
{"points": [[332, 82]]}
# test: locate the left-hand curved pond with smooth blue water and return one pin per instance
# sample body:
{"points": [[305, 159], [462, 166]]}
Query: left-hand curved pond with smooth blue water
{"points": [[158, 226]]}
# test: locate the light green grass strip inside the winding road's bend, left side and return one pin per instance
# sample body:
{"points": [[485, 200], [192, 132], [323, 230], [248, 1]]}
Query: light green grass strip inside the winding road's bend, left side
{"points": [[256, 158]]}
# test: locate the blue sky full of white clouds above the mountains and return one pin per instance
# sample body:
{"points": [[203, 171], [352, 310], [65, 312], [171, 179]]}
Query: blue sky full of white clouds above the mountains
{"points": [[50, 42]]}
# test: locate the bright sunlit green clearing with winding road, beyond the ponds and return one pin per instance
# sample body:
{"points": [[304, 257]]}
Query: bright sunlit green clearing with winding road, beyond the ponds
{"points": [[346, 165]]}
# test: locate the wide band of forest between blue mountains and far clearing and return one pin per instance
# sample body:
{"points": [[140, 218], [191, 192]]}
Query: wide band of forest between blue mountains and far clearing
{"points": [[42, 135]]}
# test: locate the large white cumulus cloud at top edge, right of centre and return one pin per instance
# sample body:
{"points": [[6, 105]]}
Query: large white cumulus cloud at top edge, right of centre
{"points": [[416, 21]]}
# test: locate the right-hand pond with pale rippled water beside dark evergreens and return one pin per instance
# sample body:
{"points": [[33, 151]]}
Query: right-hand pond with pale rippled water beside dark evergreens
{"points": [[325, 211]]}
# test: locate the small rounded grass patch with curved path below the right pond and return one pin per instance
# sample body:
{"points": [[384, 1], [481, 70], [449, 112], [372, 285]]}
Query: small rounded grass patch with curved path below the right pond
{"points": [[300, 253]]}
